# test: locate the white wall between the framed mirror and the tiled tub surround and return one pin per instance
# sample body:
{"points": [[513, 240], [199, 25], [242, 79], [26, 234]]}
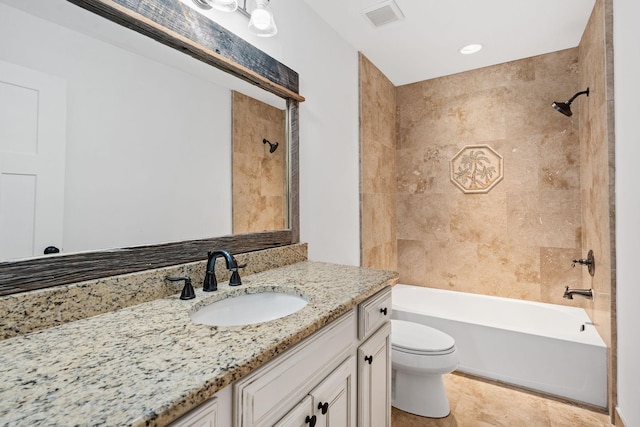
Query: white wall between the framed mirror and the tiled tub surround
{"points": [[329, 123]]}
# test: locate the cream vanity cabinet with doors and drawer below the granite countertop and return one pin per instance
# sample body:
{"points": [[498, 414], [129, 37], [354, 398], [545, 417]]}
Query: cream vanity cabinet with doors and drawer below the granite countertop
{"points": [[339, 376]]}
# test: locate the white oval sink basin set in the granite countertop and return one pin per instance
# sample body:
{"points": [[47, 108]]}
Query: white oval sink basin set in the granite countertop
{"points": [[247, 309]]}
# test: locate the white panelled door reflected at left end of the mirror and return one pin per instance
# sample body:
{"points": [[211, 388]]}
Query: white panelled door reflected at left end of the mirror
{"points": [[32, 160]]}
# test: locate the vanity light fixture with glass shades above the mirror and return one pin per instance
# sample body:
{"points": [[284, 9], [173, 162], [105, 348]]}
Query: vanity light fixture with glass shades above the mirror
{"points": [[261, 21]]}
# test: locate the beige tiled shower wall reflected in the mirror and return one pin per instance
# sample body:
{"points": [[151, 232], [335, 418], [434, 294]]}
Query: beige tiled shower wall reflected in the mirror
{"points": [[259, 177]]}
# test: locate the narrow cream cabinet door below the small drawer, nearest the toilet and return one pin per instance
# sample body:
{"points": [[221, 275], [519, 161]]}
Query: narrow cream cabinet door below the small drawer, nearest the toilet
{"points": [[374, 380]]}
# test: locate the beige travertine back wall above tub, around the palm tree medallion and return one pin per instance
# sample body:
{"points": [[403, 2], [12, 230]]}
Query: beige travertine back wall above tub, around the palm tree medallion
{"points": [[518, 240]]}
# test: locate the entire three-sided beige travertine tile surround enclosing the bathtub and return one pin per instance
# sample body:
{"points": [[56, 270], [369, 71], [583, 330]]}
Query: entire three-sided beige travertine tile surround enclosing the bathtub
{"points": [[556, 200]]}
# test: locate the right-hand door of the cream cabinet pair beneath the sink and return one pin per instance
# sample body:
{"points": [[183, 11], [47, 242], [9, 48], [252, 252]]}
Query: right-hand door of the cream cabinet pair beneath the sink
{"points": [[334, 399]]}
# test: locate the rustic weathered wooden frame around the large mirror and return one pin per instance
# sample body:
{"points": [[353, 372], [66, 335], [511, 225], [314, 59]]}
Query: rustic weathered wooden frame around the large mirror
{"points": [[172, 23]]}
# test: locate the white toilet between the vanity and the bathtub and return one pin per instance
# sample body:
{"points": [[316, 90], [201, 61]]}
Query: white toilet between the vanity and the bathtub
{"points": [[420, 356]]}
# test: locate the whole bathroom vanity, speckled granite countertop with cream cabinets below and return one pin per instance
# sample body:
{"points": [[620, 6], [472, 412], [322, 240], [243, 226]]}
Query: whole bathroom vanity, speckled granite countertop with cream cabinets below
{"points": [[150, 364]]}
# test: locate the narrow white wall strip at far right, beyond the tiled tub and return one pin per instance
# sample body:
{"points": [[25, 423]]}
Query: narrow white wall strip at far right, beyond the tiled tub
{"points": [[627, 109]]}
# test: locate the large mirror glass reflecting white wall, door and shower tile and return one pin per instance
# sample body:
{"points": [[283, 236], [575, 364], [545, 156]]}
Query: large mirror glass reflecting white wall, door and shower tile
{"points": [[131, 140]]}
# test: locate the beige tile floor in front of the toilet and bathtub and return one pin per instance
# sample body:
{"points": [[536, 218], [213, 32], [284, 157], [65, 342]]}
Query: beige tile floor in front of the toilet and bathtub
{"points": [[476, 403]]}
